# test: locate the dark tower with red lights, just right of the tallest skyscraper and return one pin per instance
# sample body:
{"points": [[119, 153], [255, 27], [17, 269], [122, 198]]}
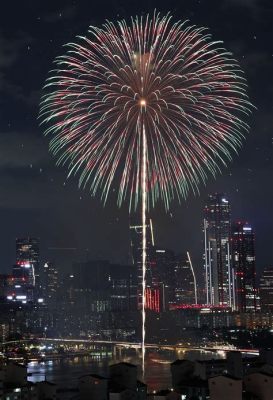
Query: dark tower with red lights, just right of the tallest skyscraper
{"points": [[243, 258]]}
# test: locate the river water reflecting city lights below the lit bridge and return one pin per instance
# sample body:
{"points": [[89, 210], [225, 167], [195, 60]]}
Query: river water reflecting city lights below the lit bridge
{"points": [[66, 372]]}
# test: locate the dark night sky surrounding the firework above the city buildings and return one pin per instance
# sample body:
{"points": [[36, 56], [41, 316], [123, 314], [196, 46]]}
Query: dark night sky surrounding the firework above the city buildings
{"points": [[37, 199]]}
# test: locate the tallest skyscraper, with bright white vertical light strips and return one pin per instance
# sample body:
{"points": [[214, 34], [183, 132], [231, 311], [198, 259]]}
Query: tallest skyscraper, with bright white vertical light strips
{"points": [[219, 274]]}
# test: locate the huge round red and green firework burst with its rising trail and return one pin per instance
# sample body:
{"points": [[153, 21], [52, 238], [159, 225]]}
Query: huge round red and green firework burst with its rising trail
{"points": [[151, 107]]}
